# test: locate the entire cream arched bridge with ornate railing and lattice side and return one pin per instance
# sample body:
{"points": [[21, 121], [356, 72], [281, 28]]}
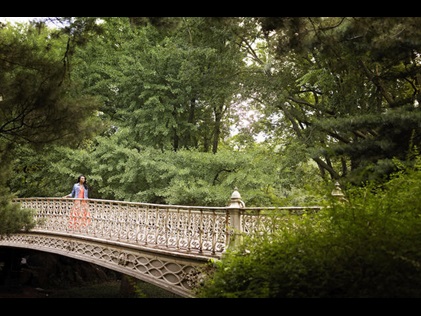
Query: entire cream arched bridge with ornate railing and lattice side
{"points": [[165, 245]]}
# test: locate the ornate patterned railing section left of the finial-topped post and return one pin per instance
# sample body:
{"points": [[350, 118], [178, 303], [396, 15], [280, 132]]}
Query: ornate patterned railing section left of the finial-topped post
{"points": [[182, 229]]}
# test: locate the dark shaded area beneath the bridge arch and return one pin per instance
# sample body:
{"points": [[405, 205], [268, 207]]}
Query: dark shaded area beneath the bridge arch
{"points": [[28, 273]]}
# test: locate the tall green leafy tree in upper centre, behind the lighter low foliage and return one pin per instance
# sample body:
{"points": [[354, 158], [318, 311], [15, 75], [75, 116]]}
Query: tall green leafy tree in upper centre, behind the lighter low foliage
{"points": [[171, 86]]}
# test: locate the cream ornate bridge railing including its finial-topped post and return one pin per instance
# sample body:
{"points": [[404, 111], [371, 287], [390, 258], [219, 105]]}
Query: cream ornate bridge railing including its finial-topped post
{"points": [[185, 229]]}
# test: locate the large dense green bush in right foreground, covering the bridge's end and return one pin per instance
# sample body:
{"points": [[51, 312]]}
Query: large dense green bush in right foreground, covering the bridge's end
{"points": [[366, 247]]}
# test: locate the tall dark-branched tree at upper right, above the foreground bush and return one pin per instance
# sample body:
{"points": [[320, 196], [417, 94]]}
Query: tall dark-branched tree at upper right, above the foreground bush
{"points": [[348, 88]]}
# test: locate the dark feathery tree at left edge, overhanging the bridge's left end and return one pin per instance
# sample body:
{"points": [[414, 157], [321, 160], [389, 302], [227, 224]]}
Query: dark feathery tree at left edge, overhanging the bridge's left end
{"points": [[39, 103]]}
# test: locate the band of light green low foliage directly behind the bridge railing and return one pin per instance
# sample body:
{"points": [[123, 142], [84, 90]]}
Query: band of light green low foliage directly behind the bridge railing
{"points": [[186, 177]]}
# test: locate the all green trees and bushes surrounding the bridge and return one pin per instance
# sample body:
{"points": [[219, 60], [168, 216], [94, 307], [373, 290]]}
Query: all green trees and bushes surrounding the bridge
{"points": [[182, 110]]}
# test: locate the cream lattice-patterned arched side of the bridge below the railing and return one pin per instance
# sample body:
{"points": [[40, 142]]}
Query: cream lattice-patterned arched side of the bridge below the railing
{"points": [[176, 273]]}
